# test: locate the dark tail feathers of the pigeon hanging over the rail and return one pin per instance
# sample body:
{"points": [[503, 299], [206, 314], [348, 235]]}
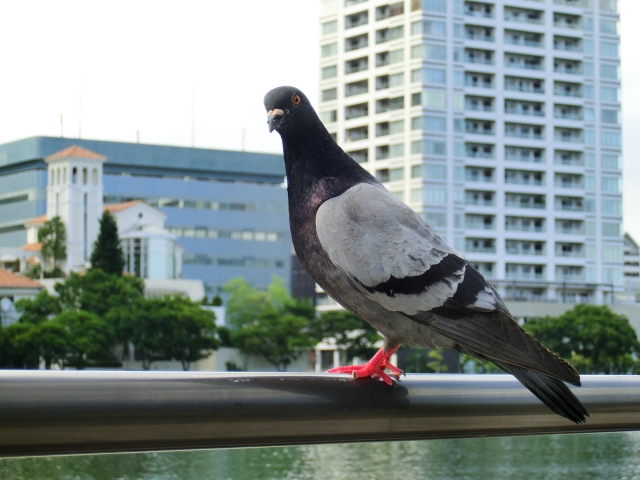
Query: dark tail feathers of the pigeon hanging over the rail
{"points": [[552, 392]]}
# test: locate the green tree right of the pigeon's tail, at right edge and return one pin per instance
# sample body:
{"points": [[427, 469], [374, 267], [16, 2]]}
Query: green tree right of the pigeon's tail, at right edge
{"points": [[593, 338]]}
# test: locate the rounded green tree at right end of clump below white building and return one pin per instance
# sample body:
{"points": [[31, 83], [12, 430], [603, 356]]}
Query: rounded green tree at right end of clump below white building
{"points": [[172, 328]]}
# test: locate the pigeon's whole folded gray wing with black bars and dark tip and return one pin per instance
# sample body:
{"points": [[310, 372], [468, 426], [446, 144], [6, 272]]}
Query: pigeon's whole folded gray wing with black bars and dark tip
{"points": [[396, 259]]}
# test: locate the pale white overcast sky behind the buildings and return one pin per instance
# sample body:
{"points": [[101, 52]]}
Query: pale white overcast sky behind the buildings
{"points": [[139, 62]]}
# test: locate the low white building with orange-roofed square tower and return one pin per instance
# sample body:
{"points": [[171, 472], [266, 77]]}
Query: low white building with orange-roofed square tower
{"points": [[74, 193]]}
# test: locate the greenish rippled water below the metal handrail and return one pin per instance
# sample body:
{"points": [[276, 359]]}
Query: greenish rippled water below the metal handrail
{"points": [[589, 456]]}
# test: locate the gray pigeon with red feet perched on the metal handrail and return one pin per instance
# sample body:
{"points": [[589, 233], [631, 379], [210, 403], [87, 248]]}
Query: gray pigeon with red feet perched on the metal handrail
{"points": [[380, 260]]}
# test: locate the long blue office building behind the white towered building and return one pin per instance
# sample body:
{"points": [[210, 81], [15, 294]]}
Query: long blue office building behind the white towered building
{"points": [[227, 208]]}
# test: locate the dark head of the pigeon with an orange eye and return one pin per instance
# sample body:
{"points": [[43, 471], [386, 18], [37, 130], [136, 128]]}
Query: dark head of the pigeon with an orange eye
{"points": [[287, 108]]}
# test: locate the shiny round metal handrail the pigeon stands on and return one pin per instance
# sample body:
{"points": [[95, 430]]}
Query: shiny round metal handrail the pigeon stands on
{"points": [[70, 412]]}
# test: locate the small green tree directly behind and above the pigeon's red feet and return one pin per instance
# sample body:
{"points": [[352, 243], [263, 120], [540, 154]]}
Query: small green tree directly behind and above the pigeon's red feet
{"points": [[357, 337]]}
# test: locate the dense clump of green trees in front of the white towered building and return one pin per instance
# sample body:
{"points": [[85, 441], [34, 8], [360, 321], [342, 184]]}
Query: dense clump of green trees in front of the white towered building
{"points": [[96, 311]]}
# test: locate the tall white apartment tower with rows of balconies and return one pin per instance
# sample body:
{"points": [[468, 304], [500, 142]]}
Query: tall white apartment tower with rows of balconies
{"points": [[498, 121]]}
